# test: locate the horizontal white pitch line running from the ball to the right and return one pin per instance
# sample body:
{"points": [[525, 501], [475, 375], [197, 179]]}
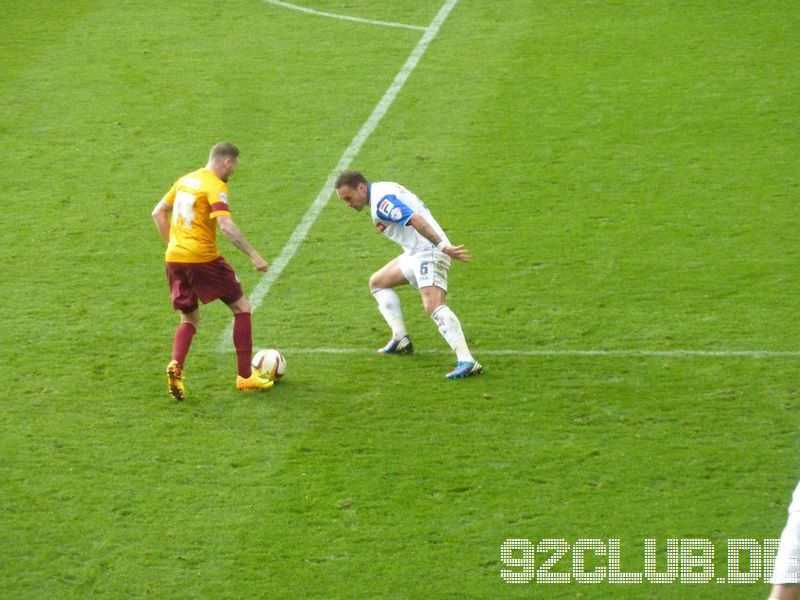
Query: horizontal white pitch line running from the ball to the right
{"points": [[576, 353]]}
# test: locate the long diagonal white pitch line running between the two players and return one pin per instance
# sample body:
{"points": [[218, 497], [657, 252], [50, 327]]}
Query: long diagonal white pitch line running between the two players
{"points": [[313, 212]]}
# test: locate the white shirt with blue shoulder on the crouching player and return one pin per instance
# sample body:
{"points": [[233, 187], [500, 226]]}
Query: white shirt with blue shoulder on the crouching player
{"points": [[391, 206]]}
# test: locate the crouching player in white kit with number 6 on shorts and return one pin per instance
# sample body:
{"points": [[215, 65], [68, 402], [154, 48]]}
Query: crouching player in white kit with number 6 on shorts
{"points": [[403, 218]]}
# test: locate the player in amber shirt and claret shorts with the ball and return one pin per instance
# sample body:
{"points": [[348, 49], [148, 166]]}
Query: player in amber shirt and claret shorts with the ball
{"points": [[187, 218]]}
